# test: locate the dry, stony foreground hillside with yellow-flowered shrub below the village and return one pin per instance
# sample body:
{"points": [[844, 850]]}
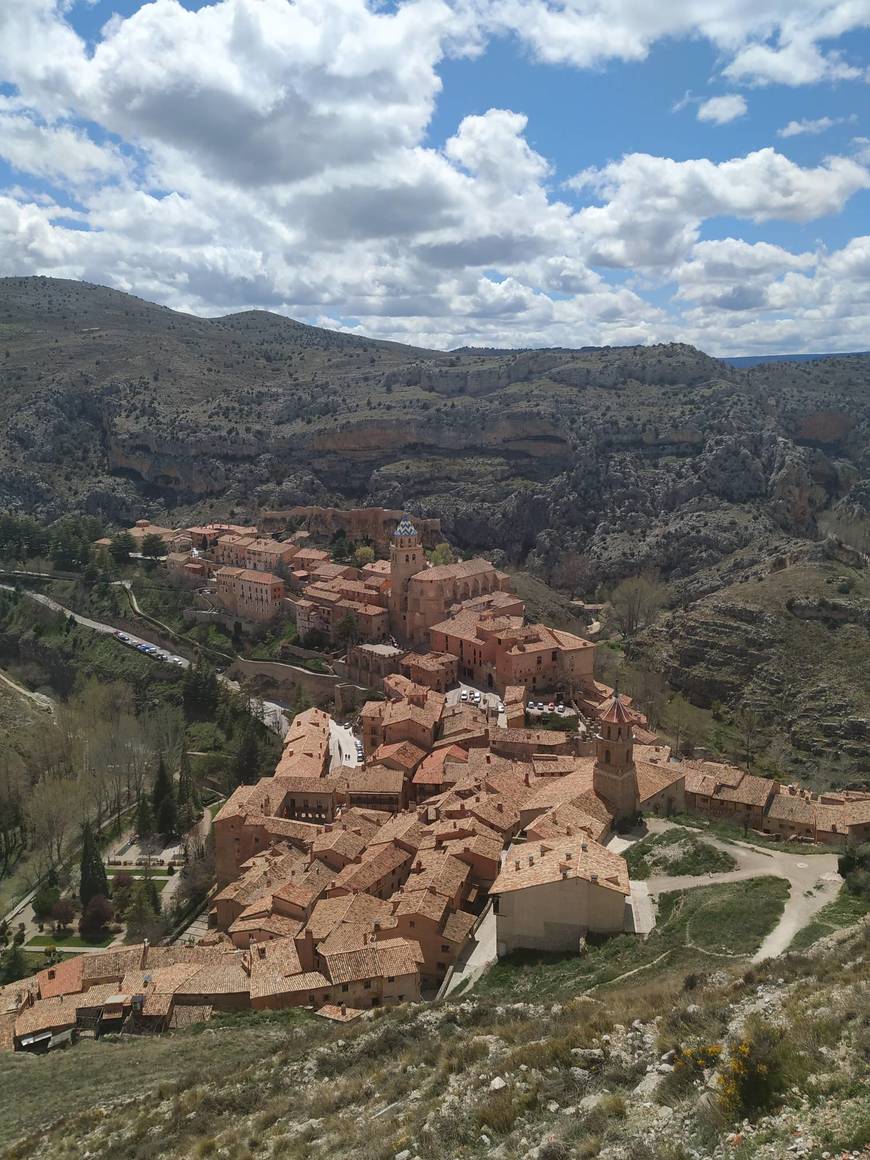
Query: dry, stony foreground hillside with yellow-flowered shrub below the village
{"points": [[719, 1061]]}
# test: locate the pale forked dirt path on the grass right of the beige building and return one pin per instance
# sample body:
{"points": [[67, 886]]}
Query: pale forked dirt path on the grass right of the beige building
{"points": [[814, 881]]}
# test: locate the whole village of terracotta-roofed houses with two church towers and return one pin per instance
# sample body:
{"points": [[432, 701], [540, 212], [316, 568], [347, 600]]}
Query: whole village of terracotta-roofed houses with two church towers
{"points": [[349, 884]]}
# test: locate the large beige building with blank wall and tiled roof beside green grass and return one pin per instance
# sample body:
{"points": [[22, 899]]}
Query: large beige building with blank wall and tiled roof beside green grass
{"points": [[550, 895]]}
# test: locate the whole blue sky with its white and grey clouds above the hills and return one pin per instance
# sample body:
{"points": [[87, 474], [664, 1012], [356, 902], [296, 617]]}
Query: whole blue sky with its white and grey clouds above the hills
{"points": [[410, 170]]}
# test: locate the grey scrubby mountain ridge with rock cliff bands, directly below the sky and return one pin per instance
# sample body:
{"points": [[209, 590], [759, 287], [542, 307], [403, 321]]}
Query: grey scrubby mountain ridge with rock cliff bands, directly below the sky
{"points": [[634, 459]]}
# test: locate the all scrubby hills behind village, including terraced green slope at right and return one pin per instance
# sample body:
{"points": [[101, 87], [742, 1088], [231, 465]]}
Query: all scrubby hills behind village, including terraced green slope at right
{"points": [[746, 492]]}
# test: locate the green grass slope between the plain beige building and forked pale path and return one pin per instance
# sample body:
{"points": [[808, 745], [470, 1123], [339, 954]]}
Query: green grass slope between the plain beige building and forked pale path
{"points": [[695, 929]]}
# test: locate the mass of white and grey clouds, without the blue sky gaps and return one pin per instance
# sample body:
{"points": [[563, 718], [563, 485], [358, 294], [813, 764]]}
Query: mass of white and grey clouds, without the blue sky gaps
{"points": [[273, 154]]}
